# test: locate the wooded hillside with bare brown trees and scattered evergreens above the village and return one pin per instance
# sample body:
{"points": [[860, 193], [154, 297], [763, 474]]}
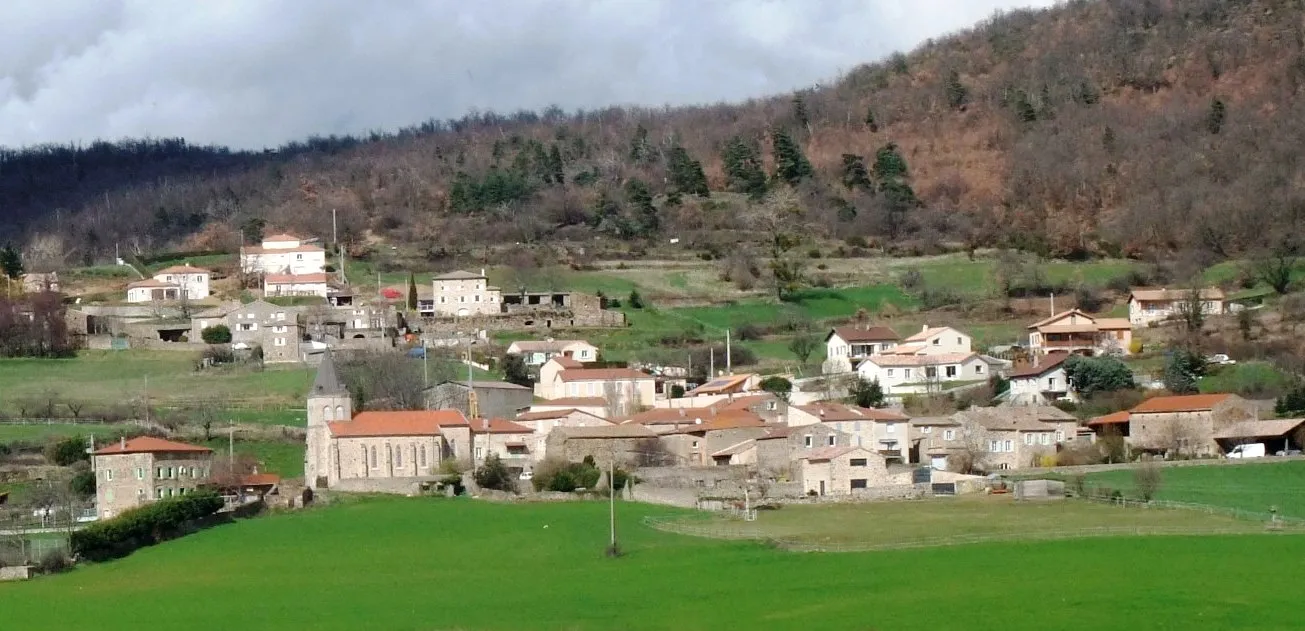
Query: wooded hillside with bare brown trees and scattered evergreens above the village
{"points": [[1105, 127]]}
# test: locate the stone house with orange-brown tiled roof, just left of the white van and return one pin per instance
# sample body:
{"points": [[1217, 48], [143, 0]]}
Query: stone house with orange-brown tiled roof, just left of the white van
{"points": [[1187, 424]]}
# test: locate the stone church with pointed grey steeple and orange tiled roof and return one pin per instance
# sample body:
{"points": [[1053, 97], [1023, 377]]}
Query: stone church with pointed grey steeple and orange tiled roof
{"points": [[376, 450]]}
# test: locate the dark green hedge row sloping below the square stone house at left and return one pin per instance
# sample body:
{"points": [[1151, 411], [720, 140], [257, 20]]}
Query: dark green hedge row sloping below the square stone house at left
{"points": [[143, 527]]}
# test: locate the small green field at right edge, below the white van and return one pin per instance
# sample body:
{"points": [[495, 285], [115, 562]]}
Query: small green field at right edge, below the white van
{"points": [[1246, 487]]}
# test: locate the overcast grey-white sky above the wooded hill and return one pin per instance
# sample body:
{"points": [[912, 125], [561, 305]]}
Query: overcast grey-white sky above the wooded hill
{"points": [[254, 74]]}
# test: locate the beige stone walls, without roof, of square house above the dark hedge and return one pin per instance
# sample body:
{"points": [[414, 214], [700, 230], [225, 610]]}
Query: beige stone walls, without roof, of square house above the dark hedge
{"points": [[125, 482]]}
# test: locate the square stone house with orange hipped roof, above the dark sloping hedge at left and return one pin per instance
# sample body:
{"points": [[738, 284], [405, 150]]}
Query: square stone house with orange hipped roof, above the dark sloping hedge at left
{"points": [[138, 471]]}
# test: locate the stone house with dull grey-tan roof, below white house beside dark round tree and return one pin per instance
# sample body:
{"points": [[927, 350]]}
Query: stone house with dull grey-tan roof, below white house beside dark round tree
{"points": [[1016, 437]]}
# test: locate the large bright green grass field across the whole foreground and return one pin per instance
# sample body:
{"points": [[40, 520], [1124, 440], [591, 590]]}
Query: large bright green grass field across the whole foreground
{"points": [[464, 565]]}
